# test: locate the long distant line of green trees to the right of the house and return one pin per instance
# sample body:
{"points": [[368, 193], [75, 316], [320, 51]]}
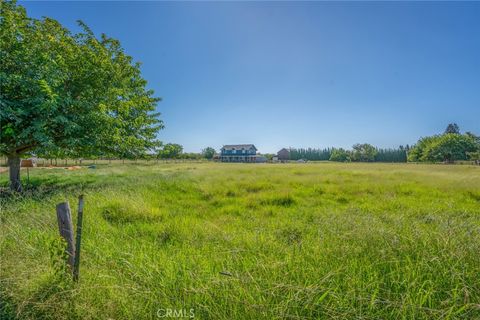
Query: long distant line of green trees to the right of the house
{"points": [[447, 147]]}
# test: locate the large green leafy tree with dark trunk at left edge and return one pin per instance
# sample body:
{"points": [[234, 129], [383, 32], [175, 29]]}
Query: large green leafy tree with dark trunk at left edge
{"points": [[68, 93]]}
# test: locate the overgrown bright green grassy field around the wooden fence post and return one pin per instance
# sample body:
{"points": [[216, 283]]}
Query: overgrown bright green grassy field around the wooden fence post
{"points": [[239, 241]]}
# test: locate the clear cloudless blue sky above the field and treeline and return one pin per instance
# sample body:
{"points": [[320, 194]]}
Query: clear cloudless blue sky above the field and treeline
{"points": [[299, 74]]}
